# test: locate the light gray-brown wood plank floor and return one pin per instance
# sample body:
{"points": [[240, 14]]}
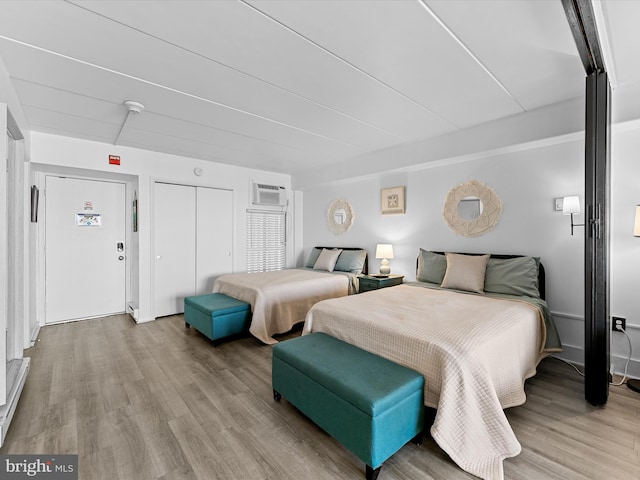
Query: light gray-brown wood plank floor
{"points": [[157, 401]]}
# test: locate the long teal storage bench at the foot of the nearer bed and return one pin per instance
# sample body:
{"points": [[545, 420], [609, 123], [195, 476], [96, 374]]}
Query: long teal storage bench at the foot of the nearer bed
{"points": [[371, 405]]}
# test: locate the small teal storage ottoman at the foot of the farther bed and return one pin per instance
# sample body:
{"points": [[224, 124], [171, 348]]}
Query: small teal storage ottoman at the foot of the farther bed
{"points": [[216, 315]]}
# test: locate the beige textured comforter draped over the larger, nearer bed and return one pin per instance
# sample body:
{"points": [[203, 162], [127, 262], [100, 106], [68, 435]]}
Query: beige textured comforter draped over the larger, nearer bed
{"points": [[475, 352]]}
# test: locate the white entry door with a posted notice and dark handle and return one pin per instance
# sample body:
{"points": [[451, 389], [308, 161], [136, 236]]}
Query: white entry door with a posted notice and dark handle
{"points": [[85, 266]]}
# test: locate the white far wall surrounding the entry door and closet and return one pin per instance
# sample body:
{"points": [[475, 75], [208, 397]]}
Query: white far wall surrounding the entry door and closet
{"points": [[140, 169]]}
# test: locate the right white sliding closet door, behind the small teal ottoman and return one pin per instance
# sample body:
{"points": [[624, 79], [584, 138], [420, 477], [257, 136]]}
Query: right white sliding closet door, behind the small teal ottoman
{"points": [[214, 236]]}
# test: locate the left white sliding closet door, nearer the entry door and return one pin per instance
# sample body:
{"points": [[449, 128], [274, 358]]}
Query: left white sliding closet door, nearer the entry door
{"points": [[175, 247]]}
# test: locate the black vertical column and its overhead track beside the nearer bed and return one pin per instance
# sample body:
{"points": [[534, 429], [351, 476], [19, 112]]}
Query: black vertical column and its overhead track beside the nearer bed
{"points": [[583, 26]]}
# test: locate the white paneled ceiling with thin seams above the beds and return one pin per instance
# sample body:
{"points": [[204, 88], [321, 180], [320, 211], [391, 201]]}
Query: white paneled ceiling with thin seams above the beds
{"points": [[290, 85]]}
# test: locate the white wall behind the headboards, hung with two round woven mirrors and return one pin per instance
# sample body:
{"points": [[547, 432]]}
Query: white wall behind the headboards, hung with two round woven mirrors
{"points": [[526, 181]]}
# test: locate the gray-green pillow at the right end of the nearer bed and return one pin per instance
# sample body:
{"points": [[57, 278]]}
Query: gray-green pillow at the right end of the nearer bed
{"points": [[513, 276]]}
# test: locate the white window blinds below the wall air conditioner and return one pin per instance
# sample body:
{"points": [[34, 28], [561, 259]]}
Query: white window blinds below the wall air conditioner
{"points": [[266, 240]]}
